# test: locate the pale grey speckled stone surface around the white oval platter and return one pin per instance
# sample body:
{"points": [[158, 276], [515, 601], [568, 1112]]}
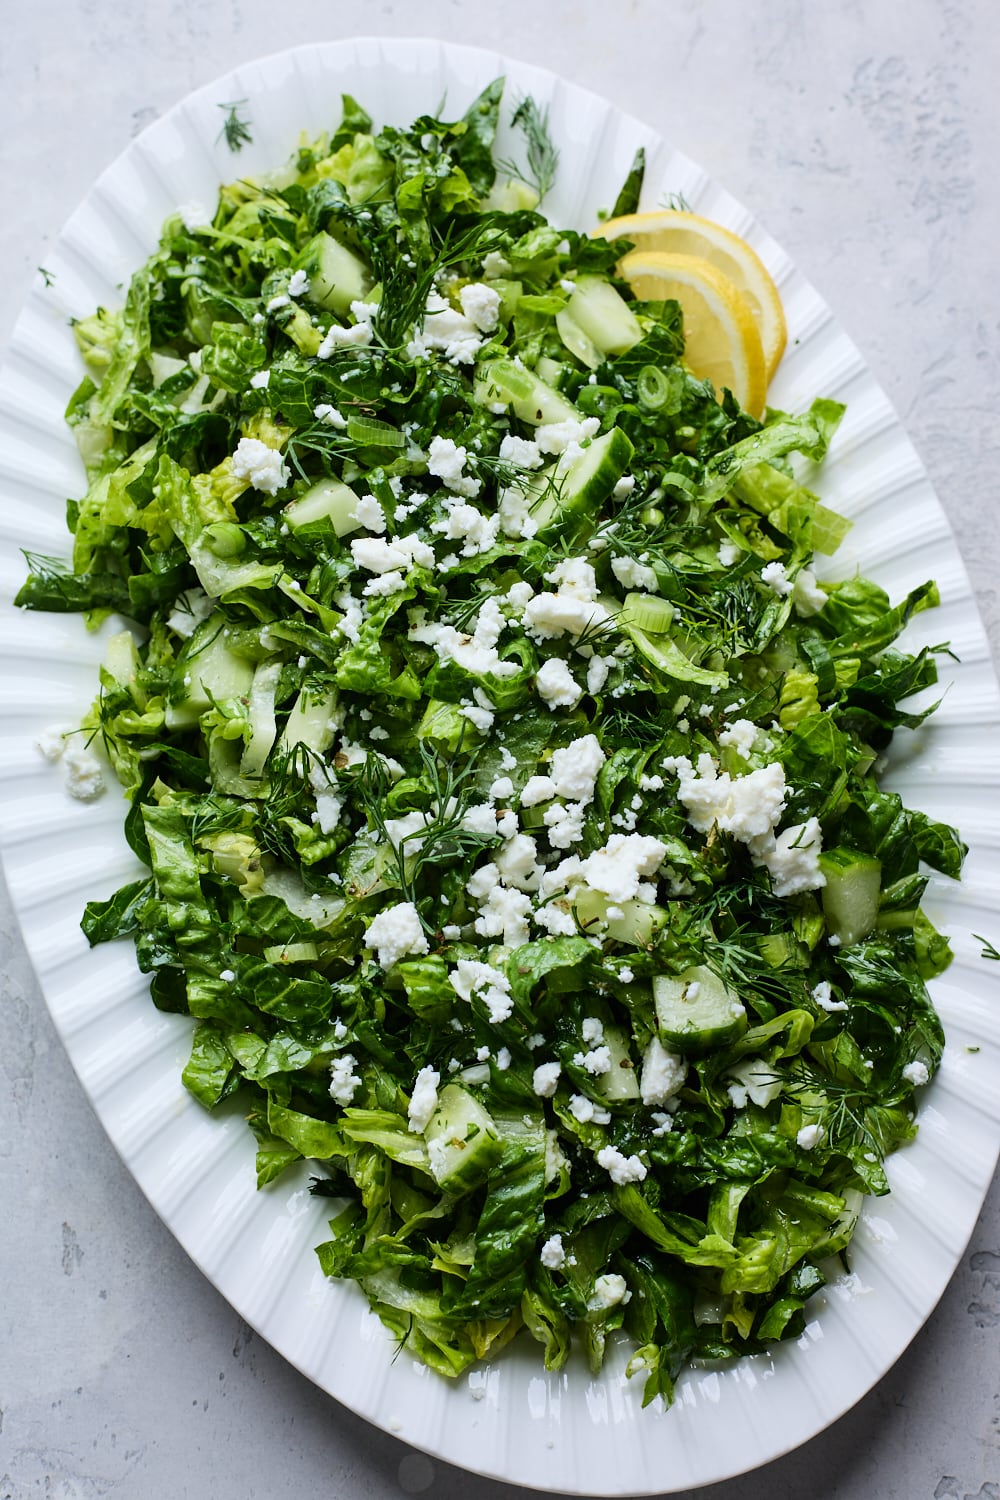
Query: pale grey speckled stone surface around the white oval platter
{"points": [[864, 134]]}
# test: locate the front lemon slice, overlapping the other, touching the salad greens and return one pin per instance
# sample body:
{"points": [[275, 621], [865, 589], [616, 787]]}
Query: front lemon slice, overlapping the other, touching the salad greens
{"points": [[720, 335]]}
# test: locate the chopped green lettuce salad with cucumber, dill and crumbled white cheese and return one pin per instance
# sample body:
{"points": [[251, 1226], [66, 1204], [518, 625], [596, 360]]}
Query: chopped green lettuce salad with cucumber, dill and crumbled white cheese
{"points": [[504, 776]]}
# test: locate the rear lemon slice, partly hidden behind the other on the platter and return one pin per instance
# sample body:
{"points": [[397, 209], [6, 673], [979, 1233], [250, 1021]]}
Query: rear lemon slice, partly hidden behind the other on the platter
{"points": [[681, 233]]}
